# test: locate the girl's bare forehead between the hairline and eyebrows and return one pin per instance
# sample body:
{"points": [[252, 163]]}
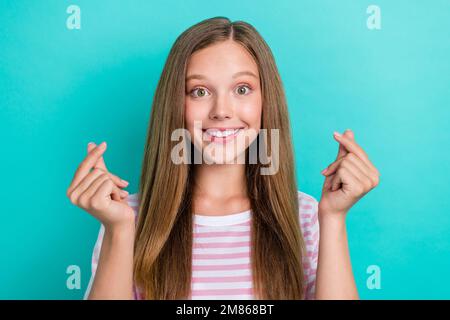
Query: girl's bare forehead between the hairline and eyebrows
{"points": [[223, 58]]}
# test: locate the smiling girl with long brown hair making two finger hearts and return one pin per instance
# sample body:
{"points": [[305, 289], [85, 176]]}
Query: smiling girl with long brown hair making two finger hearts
{"points": [[217, 229]]}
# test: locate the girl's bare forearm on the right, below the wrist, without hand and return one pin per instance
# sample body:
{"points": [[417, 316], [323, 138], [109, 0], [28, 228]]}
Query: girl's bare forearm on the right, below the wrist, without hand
{"points": [[334, 278]]}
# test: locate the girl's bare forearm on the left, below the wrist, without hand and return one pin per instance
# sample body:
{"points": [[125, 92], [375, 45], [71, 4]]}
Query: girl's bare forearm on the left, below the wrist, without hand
{"points": [[114, 276]]}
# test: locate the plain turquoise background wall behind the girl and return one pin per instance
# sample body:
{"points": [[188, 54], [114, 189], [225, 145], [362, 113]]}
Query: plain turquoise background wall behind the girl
{"points": [[61, 88]]}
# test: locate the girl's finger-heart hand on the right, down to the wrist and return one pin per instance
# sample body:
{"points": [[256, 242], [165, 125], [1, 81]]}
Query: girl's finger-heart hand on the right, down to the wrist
{"points": [[348, 178]]}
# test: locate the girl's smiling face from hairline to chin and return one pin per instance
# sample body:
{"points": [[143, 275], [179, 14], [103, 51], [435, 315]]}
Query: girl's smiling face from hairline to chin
{"points": [[223, 101]]}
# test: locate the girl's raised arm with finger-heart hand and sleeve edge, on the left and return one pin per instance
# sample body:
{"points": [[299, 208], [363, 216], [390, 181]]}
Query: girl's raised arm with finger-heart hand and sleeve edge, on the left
{"points": [[97, 191]]}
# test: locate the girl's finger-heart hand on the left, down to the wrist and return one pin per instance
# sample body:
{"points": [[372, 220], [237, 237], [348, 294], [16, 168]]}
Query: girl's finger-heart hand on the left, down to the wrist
{"points": [[98, 192]]}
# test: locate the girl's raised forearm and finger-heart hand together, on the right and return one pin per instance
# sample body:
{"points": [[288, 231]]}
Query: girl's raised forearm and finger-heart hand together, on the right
{"points": [[348, 179]]}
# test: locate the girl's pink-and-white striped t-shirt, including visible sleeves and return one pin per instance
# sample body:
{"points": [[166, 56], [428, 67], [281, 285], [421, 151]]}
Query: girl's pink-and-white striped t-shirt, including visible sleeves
{"points": [[221, 266]]}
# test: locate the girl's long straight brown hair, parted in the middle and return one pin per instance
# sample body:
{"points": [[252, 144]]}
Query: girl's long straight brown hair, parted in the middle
{"points": [[163, 244]]}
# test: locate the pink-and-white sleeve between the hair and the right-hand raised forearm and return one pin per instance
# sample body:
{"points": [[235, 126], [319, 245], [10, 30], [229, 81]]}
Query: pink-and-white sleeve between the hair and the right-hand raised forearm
{"points": [[309, 224]]}
